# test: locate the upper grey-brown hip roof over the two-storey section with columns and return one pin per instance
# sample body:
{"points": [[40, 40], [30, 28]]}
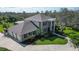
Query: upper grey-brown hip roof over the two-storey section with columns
{"points": [[39, 18]]}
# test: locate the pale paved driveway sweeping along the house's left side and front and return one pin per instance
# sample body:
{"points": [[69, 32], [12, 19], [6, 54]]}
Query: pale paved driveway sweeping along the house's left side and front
{"points": [[14, 46]]}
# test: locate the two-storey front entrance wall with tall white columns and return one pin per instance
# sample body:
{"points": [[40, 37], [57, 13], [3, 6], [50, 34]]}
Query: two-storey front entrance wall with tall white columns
{"points": [[48, 26]]}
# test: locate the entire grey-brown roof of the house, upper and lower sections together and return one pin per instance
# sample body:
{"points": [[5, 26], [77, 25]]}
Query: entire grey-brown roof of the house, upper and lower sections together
{"points": [[27, 26]]}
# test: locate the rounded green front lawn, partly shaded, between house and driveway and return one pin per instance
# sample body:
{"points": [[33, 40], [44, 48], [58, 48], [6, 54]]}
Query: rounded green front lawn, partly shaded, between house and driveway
{"points": [[51, 40]]}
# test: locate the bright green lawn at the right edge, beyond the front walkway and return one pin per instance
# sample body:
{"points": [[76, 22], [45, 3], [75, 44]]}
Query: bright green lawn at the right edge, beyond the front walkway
{"points": [[73, 34]]}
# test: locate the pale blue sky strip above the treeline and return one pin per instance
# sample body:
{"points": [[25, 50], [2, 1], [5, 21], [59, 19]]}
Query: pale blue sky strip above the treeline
{"points": [[32, 9]]}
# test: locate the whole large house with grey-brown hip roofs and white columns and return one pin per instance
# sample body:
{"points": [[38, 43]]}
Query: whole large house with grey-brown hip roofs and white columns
{"points": [[36, 25]]}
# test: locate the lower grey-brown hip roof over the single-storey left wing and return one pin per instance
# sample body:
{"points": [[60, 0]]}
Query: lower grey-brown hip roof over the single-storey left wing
{"points": [[23, 28]]}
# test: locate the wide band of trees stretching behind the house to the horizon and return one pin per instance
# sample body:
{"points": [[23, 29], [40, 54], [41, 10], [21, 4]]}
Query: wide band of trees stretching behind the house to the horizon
{"points": [[64, 17]]}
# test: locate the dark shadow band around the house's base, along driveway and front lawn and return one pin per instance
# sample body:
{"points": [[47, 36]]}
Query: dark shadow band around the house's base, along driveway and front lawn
{"points": [[31, 41]]}
